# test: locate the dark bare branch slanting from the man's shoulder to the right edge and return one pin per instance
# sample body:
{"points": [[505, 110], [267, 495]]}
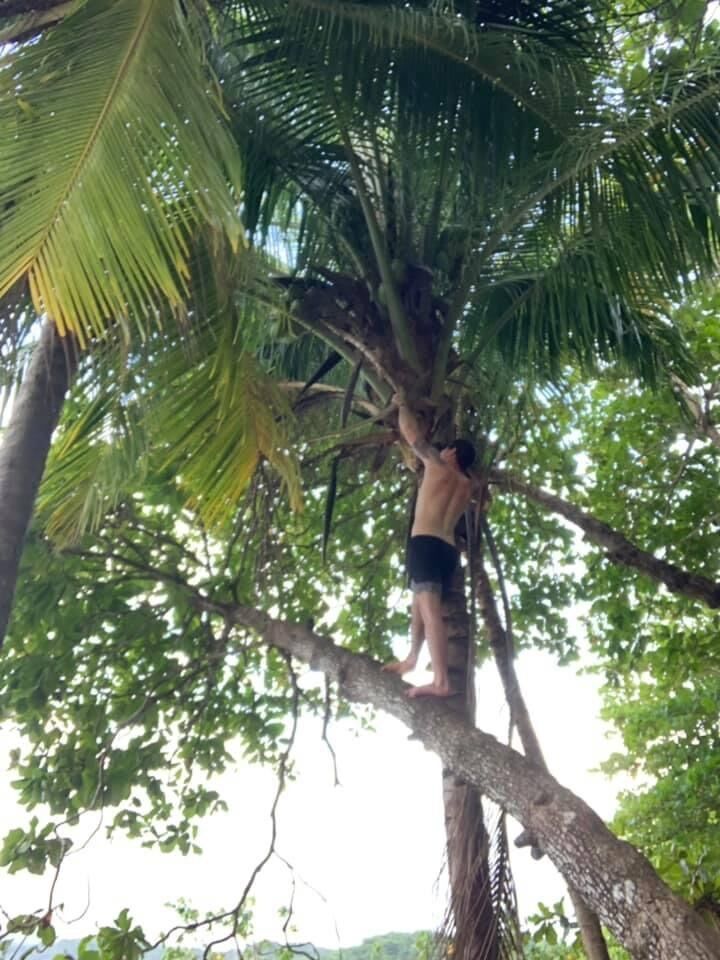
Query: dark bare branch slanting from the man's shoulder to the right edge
{"points": [[619, 548]]}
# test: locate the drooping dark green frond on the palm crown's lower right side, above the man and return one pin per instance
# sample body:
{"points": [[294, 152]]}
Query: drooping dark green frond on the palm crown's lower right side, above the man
{"points": [[588, 298]]}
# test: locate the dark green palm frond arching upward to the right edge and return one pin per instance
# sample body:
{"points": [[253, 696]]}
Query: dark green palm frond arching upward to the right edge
{"points": [[664, 142]]}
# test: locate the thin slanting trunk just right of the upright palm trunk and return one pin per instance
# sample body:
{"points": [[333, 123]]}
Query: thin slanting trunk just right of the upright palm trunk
{"points": [[504, 654]]}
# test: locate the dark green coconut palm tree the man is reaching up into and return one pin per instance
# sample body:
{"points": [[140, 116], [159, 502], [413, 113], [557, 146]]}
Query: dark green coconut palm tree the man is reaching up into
{"points": [[468, 197]]}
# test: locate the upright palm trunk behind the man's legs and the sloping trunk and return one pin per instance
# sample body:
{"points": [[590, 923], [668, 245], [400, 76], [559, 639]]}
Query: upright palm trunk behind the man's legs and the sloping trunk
{"points": [[474, 925]]}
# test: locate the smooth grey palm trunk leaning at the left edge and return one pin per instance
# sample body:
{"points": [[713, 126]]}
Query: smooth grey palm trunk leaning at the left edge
{"points": [[24, 450]]}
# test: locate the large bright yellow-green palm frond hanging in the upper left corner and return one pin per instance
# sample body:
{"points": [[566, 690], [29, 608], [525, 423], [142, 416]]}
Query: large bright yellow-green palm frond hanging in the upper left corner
{"points": [[113, 153]]}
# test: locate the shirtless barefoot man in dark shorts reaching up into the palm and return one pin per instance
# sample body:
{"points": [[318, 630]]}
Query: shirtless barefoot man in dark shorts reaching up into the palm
{"points": [[444, 494]]}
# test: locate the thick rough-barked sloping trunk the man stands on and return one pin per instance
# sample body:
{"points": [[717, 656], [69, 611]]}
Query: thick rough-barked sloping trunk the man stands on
{"points": [[614, 879]]}
